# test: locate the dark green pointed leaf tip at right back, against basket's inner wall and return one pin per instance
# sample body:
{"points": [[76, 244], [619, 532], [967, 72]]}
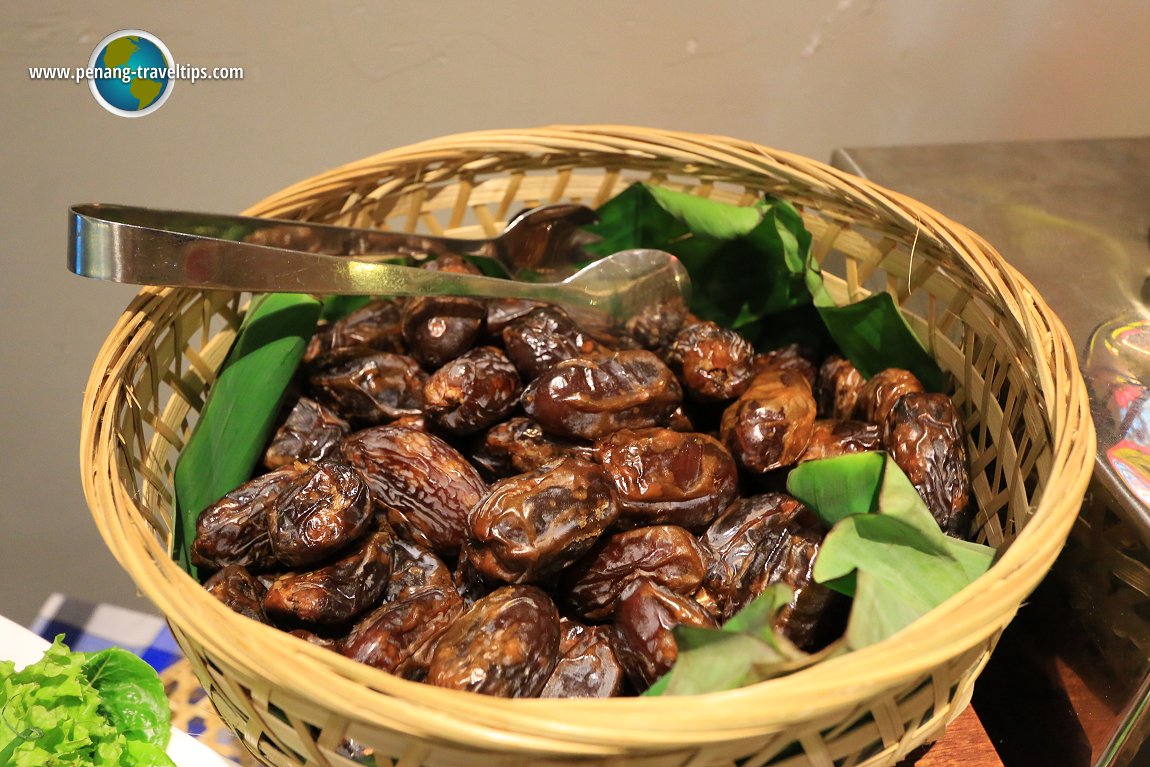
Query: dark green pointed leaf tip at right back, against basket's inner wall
{"points": [[873, 335]]}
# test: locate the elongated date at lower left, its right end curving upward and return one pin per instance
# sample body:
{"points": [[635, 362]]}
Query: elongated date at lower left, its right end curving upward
{"points": [[338, 593]]}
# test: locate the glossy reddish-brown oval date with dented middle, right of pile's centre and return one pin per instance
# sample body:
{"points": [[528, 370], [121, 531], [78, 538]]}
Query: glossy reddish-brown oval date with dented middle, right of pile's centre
{"points": [[669, 478]]}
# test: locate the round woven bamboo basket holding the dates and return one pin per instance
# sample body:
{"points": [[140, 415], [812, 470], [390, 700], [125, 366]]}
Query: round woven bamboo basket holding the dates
{"points": [[1016, 382]]}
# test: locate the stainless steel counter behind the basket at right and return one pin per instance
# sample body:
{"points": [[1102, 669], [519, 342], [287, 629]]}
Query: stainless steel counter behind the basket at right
{"points": [[1070, 682]]}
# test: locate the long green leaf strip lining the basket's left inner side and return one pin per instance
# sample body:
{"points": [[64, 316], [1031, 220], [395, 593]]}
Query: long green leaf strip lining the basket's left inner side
{"points": [[241, 410]]}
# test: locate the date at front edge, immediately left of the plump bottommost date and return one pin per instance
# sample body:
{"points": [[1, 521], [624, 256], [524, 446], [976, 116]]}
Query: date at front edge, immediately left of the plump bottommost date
{"points": [[400, 636]]}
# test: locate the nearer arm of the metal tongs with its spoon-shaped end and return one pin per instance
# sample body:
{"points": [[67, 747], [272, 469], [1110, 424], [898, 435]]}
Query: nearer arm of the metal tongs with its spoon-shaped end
{"points": [[603, 295]]}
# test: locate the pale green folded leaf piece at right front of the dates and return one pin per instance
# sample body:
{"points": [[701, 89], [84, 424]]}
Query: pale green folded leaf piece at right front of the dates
{"points": [[904, 564]]}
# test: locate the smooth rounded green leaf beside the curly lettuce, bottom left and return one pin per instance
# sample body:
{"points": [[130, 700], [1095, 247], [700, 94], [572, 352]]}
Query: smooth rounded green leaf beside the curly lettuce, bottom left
{"points": [[132, 696]]}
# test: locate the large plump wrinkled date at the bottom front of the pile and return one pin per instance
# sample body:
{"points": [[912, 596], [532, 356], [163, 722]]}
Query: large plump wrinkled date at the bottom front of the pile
{"points": [[507, 646]]}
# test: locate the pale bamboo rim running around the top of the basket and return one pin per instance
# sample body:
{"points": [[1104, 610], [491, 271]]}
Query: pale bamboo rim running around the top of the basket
{"points": [[830, 686]]}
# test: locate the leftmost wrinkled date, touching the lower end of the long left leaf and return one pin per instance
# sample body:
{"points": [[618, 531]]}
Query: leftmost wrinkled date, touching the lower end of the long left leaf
{"points": [[234, 531]]}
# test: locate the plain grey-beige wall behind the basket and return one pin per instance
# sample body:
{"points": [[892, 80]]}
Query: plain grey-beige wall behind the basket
{"points": [[331, 82]]}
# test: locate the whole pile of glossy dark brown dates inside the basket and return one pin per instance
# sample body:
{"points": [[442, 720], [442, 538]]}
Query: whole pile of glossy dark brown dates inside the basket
{"points": [[482, 496]]}
